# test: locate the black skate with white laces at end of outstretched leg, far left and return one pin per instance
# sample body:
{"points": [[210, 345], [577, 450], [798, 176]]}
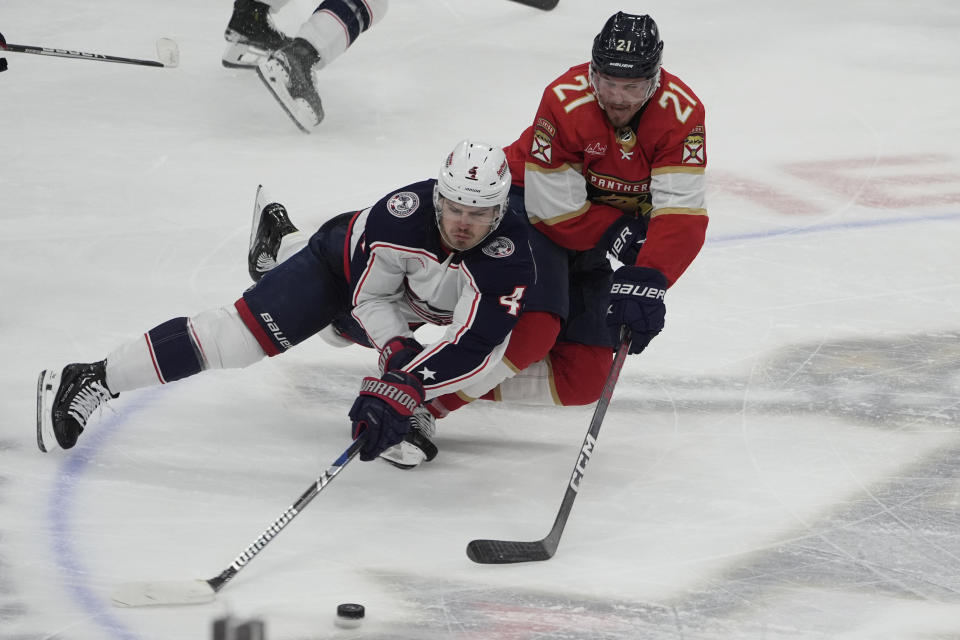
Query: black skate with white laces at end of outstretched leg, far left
{"points": [[65, 401]]}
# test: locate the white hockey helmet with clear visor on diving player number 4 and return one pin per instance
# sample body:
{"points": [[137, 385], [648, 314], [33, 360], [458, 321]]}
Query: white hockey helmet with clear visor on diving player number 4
{"points": [[474, 174]]}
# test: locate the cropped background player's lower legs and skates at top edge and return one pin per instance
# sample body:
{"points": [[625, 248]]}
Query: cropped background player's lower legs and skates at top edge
{"points": [[287, 65]]}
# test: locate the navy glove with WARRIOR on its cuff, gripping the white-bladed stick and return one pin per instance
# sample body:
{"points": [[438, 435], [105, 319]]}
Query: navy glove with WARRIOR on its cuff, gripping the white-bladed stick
{"points": [[382, 410]]}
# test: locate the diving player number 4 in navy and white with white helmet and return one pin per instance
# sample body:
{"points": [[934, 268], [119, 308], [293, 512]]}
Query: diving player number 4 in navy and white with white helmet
{"points": [[441, 251]]}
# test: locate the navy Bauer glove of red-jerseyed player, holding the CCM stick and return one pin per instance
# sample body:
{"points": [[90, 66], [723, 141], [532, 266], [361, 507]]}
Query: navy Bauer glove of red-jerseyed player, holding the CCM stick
{"points": [[636, 300]]}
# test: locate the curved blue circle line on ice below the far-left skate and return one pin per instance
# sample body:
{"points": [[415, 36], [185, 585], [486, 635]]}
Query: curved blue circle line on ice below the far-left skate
{"points": [[60, 511]]}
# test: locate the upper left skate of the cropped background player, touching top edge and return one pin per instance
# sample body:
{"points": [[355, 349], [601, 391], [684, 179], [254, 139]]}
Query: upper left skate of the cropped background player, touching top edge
{"points": [[251, 34]]}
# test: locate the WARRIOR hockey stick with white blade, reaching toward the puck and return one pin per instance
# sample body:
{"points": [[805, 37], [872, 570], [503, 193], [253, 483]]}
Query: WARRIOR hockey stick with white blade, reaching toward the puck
{"points": [[179, 592]]}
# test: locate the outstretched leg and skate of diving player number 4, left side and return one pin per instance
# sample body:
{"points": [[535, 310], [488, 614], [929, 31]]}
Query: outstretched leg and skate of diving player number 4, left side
{"points": [[288, 305]]}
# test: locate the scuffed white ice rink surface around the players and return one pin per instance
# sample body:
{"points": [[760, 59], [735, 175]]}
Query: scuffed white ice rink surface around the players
{"points": [[781, 463]]}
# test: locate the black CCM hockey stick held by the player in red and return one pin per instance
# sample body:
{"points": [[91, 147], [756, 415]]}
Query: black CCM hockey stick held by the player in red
{"points": [[510, 551]]}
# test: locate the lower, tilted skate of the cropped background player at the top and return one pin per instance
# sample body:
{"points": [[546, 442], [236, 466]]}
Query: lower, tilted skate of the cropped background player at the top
{"points": [[288, 73]]}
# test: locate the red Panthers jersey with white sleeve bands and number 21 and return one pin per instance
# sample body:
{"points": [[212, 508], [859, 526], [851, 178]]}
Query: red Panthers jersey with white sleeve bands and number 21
{"points": [[581, 174]]}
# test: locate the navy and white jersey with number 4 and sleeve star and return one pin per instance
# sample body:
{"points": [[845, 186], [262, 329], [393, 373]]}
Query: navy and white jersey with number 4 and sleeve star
{"points": [[401, 274]]}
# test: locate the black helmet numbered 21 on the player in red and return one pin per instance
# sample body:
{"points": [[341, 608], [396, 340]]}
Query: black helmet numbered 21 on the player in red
{"points": [[628, 46]]}
